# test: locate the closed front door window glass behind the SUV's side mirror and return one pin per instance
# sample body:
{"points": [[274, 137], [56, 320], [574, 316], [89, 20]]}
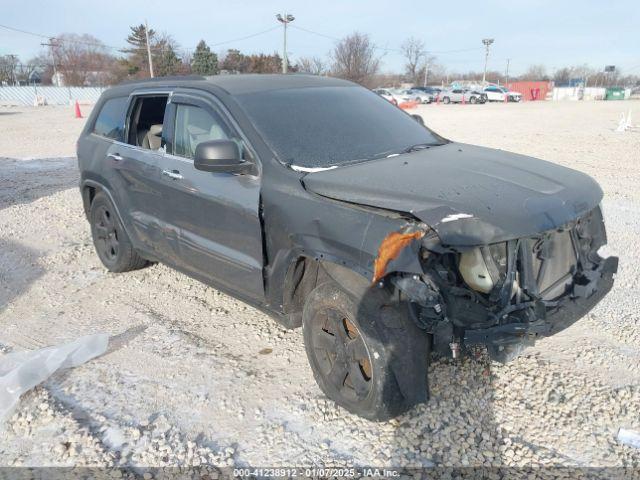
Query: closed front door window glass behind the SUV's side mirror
{"points": [[195, 125]]}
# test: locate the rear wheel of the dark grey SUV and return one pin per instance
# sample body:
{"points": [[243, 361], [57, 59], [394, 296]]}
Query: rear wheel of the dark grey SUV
{"points": [[110, 239]]}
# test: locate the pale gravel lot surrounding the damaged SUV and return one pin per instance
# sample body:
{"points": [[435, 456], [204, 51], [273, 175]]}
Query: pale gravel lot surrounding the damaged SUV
{"points": [[194, 377]]}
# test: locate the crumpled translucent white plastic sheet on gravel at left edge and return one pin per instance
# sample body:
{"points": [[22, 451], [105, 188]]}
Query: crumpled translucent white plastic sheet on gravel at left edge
{"points": [[21, 371]]}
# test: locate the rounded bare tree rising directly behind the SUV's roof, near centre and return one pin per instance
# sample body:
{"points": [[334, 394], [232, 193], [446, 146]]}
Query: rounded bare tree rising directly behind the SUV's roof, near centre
{"points": [[354, 59]]}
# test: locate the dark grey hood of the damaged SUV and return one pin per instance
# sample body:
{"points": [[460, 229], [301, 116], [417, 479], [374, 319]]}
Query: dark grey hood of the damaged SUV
{"points": [[469, 195]]}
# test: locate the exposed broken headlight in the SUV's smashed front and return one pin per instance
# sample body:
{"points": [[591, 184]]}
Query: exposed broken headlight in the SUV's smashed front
{"points": [[482, 268]]}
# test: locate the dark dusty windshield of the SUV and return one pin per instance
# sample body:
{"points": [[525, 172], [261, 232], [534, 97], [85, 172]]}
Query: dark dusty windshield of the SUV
{"points": [[325, 126]]}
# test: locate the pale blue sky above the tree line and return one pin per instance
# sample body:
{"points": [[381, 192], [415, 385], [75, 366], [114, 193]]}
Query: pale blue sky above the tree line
{"points": [[554, 33]]}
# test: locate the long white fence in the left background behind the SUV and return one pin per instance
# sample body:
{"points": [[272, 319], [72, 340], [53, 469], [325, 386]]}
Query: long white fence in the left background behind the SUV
{"points": [[52, 95]]}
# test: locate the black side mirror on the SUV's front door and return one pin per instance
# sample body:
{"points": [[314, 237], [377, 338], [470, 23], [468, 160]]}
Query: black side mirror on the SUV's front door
{"points": [[220, 156]]}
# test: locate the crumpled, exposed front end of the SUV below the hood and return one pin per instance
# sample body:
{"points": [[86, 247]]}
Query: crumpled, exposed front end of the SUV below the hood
{"points": [[506, 295]]}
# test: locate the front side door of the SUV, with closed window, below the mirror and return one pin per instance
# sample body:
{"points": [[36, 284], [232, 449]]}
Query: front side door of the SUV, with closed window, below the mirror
{"points": [[216, 215]]}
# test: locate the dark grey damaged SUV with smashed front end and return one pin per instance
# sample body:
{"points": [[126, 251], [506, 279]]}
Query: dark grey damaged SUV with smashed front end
{"points": [[323, 205]]}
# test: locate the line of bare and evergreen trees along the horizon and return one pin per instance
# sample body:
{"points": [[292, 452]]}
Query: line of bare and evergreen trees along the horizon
{"points": [[84, 60]]}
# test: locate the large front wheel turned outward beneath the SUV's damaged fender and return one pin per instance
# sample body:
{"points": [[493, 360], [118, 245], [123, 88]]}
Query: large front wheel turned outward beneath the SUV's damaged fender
{"points": [[364, 353]]}
